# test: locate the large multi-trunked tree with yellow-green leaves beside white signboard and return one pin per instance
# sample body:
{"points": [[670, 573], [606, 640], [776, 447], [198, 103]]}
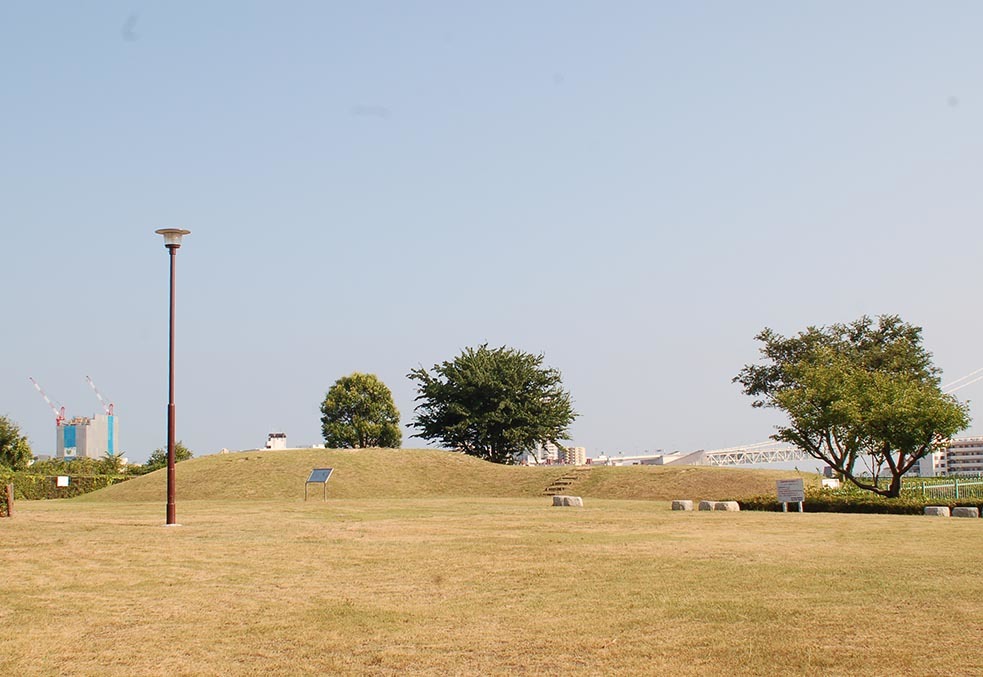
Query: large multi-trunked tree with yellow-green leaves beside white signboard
{"points": [[864, 392]]}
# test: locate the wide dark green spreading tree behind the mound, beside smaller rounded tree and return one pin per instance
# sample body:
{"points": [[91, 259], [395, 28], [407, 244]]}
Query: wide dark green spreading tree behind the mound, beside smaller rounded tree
{"points": [[492, 403]]}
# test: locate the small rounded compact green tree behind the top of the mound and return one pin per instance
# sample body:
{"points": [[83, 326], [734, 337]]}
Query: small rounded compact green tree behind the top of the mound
{"points": [[358, 412]]}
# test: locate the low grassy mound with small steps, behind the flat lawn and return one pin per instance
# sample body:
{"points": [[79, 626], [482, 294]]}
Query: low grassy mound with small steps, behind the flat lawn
{"points": [[409, 473]]}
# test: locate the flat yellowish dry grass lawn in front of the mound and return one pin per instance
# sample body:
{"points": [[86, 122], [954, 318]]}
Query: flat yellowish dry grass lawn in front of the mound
{"points": [[436, 585]]}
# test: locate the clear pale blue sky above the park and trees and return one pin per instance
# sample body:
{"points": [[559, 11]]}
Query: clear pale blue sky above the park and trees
{"points": [[634, 189]]}
